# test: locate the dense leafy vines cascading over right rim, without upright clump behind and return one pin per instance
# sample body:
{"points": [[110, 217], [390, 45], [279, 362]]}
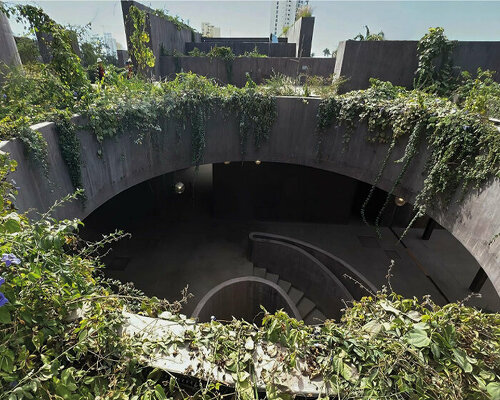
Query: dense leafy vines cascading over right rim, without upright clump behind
{"points": [[464, 149]]}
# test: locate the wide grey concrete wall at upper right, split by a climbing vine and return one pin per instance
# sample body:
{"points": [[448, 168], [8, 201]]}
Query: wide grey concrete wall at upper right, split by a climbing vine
{"points": [[396, 61]]}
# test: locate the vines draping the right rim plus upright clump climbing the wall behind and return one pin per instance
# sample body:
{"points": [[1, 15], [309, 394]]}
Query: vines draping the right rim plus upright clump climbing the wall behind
{"points": [[464, 148]]}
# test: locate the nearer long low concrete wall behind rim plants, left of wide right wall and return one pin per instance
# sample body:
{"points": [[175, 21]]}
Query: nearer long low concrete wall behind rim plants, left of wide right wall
{"points": [[258, 68]]}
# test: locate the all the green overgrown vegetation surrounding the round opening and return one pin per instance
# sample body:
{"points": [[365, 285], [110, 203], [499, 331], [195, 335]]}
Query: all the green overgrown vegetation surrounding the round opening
{"points": [[59, 318]]}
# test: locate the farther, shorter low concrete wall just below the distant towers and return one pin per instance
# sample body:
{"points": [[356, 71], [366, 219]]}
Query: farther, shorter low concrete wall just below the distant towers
{"points": [[238, 47]]}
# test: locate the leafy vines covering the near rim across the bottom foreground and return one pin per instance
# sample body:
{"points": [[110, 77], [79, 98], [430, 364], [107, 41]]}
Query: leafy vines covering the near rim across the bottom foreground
{"points": [[60, 322]]}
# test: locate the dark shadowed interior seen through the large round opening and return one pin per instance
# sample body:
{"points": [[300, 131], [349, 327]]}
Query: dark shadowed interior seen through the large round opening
{"points": [[200, 237]]}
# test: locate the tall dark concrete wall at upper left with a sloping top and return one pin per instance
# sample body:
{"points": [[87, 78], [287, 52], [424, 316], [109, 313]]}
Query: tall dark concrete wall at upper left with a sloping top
{"points": [[164, 35]]}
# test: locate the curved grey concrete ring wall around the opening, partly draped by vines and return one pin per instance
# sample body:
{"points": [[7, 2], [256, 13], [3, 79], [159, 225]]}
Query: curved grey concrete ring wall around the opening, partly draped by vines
{"points": [[123, 164]]}
